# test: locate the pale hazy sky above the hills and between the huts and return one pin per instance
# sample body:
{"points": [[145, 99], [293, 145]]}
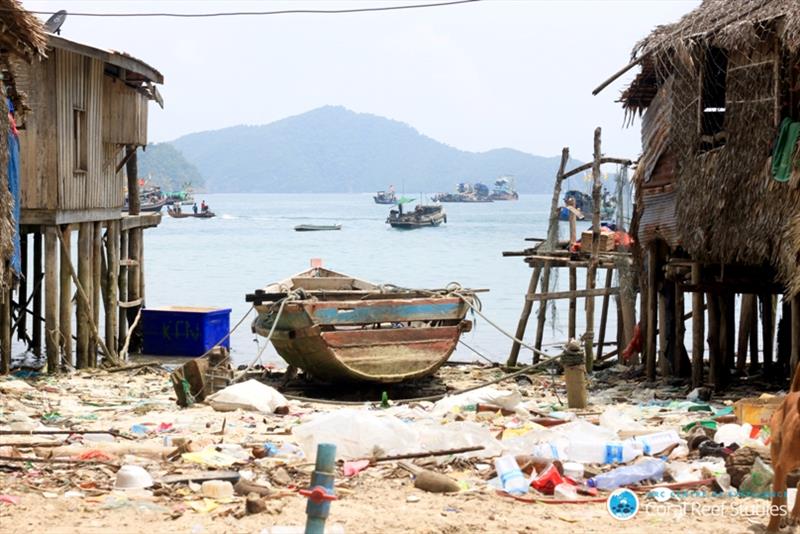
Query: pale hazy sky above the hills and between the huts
{"points": [[499, 73]]}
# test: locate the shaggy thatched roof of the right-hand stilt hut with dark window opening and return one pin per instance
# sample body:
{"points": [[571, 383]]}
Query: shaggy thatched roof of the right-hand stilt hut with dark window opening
{"points": [[731, 24]]}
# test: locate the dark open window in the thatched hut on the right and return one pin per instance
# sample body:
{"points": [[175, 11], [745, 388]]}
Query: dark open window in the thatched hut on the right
{"points": [[712, 99]]}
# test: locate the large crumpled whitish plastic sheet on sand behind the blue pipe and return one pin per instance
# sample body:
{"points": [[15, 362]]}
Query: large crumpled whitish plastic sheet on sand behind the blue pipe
{"points": [[363, 434]]}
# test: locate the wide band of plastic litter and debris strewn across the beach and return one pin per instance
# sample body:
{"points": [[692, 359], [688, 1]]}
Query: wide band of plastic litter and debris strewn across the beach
{"points": [[116, 441]]}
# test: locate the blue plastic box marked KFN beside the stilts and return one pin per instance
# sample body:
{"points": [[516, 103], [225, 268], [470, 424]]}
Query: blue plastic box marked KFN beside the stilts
{"points": [[184, 330]]}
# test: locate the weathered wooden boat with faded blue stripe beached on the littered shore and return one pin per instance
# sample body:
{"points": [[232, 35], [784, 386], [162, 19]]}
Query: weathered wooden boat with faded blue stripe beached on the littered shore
{"points": [[338, 328]]}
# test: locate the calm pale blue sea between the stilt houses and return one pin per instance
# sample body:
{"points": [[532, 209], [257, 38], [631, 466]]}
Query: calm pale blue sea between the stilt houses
{"points": [[252, 242]]}
